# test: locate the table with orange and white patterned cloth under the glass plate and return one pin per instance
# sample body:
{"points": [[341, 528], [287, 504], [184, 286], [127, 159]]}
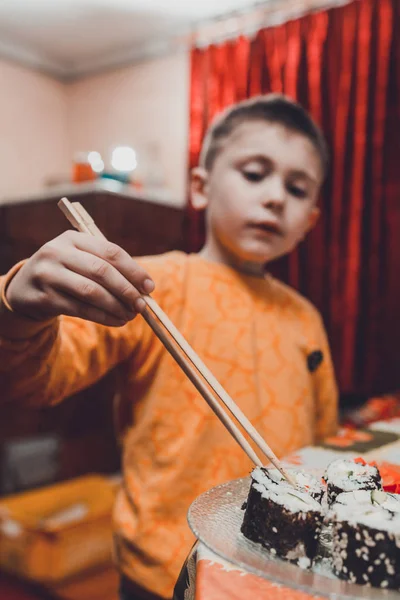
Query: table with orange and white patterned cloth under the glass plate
{"points": [[206, 576]]}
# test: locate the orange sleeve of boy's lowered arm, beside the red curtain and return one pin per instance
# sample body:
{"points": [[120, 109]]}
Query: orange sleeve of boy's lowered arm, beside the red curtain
{"points": [[326, 392]]}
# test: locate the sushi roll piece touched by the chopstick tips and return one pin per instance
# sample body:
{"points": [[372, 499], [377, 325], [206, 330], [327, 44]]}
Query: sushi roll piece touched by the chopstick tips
{"points": [[285, 520]]}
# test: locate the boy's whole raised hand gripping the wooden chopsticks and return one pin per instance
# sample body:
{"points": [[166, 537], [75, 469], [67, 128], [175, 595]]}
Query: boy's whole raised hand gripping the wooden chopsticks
{"points": [[79, 275]]}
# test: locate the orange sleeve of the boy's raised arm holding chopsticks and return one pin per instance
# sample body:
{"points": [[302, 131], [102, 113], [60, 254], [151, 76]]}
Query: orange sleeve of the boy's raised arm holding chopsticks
{"points": [[41, 363]]}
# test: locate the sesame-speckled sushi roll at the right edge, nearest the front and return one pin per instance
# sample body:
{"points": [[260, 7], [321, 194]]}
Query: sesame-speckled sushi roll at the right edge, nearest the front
{"points": [[366, 538]]}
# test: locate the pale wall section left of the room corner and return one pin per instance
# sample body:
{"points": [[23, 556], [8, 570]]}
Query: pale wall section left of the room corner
{"points": [[33, 130]]}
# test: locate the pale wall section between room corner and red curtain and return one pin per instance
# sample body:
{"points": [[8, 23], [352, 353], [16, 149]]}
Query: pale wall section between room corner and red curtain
{"points": [[144, 106]]}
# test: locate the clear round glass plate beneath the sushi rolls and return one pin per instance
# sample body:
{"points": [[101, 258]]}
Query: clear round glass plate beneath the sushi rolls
{"points": [[215, 518]]}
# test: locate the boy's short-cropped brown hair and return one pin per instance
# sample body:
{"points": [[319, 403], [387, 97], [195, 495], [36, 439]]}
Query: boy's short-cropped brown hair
{"points": [[273, 108]]}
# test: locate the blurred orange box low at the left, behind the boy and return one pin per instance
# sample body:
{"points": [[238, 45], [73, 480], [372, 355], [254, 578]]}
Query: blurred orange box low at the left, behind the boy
{"points": [[50, 534]]}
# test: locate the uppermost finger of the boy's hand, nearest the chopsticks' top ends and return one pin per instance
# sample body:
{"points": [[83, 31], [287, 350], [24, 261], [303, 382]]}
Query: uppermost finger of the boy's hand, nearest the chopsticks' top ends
{"points": [[117, 257]]}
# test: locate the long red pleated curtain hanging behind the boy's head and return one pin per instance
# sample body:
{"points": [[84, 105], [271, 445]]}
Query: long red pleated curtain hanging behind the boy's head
{"points": [[343, 65]]}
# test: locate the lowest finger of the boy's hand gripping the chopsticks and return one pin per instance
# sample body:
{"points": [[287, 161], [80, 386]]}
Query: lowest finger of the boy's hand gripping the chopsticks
{"points": [[90, 293]]}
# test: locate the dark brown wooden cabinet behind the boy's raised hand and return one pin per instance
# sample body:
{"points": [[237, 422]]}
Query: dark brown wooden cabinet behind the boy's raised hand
{"points": [[84, 422]]}
